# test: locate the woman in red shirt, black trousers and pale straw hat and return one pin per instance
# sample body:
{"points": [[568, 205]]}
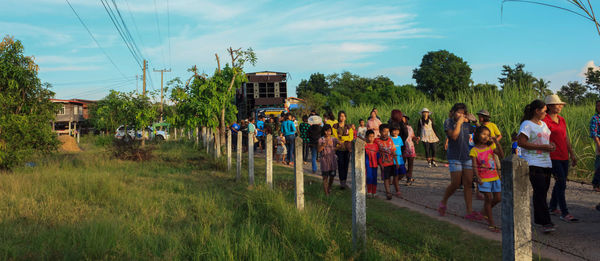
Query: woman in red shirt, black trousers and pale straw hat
{"points": [[560, 157]]}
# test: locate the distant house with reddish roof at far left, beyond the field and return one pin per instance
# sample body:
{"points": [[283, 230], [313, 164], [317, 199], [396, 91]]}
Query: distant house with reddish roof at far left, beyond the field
{"points": [[71, 116]]}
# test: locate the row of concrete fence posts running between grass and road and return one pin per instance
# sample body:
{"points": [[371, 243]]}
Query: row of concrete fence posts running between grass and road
{"points": [[516, 220]]}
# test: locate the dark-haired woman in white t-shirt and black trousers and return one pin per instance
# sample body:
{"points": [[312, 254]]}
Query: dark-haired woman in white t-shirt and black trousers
{"points": [[534, 139]]}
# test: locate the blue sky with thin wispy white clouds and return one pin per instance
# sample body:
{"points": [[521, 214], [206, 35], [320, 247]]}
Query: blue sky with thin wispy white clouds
{"points": [[368, 38]]}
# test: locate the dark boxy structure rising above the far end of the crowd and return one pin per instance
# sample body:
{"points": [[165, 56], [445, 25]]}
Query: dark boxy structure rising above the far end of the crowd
{"points": [[263, 90]]}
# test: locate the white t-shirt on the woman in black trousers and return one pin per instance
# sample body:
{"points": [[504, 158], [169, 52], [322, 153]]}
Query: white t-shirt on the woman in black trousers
{"points": [[536, 134]]}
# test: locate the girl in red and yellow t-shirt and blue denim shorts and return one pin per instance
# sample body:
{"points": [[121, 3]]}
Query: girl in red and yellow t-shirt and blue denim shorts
{"points": [[486, 170]]}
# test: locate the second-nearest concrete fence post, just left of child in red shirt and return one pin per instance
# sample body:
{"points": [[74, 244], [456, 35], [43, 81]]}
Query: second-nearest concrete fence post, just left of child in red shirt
{"points": [[359, 206]]}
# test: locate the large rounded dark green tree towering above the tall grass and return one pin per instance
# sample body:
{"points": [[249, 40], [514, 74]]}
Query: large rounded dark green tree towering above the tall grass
{"points": [[441, 72]]}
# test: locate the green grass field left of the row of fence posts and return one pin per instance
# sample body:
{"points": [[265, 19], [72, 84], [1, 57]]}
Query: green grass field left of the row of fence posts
{"points": [[182, 205]]}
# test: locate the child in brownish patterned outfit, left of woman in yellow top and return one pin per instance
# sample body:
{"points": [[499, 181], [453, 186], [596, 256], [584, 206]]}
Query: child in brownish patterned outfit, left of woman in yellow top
{"points": [[327, 146]]}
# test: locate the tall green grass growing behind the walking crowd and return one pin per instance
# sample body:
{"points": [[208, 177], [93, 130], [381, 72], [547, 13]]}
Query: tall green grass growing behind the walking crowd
{"points": [[506, 108]]}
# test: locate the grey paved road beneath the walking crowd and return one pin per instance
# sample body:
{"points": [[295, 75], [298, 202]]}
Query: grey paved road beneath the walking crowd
{"points": [[570, 241]]}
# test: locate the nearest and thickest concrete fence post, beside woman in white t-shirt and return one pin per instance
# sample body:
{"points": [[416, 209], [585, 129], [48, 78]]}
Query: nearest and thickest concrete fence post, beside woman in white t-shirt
{"points": [[516, 215]]}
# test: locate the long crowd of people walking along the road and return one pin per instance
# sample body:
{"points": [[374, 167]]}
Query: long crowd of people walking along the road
{"points": [[472, 145]]}
